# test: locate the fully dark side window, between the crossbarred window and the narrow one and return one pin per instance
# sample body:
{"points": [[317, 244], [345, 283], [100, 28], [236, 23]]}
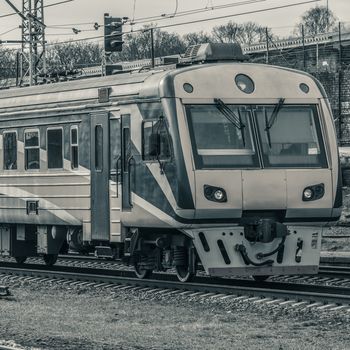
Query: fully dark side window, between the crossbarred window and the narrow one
{"points": [[55, 148]]}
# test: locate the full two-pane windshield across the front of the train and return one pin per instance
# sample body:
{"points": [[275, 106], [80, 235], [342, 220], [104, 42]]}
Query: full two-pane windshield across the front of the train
{"points": [[226, 136]]}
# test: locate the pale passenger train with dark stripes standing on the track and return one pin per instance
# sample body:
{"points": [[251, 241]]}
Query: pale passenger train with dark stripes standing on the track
{"points": [[212, 162]]}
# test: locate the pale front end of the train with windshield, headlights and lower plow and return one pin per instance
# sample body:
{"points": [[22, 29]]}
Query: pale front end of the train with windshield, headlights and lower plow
{"points": [[260, 152]]}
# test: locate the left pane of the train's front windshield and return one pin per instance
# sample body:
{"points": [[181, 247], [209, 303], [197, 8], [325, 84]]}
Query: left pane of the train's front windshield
{"points": [[219, 141]]}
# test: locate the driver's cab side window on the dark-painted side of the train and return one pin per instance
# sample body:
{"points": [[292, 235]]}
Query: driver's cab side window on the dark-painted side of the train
{"points": [[159, 130]]}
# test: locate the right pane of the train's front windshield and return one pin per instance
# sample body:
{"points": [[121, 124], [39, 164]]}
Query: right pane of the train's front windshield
{"points": [[291, 137]]}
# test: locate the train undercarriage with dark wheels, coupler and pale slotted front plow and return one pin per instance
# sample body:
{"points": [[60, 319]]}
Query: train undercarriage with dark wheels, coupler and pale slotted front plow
{"points": [[261, 247]]}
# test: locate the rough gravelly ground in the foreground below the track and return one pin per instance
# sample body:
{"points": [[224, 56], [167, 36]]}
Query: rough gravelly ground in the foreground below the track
{"points": [[53, 316]]}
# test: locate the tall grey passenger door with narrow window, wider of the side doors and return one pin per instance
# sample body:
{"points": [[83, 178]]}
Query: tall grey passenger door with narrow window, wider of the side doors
{"points": [[100, 176]]}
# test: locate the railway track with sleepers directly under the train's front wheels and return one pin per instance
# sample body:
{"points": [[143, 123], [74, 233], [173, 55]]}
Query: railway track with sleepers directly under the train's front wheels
{"points": [[284, 293]]}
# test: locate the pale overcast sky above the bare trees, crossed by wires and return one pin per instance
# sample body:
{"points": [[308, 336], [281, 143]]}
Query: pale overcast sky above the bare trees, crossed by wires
{"points": [[89, 11]]}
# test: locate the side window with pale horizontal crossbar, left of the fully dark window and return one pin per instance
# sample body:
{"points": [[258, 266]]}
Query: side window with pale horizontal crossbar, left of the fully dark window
{"points": [[32, 149]]}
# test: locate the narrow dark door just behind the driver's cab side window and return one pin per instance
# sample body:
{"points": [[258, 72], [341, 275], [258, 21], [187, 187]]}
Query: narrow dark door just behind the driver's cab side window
{"points": [[126, 160]]}
